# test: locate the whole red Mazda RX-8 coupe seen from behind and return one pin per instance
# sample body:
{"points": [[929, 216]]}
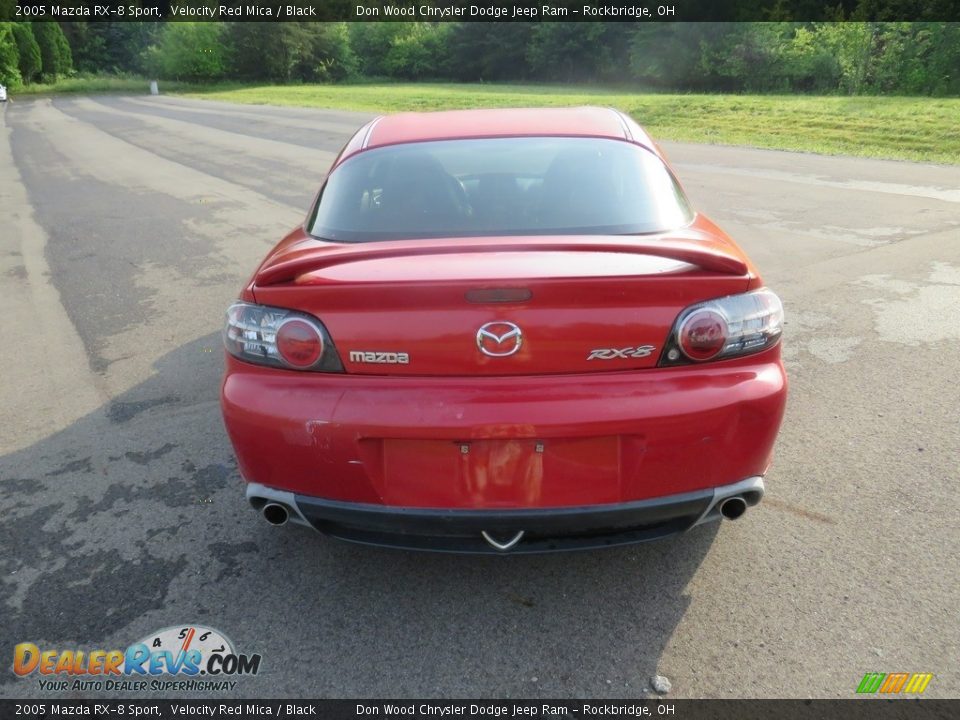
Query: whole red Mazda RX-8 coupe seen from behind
{"points": [[503, 330]]}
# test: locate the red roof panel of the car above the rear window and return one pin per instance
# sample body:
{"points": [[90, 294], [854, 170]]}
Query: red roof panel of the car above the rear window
{"points": [[512, 122]]}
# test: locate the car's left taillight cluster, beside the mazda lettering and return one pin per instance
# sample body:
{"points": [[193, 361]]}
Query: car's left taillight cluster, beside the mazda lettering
{"points": [[279, 337]]}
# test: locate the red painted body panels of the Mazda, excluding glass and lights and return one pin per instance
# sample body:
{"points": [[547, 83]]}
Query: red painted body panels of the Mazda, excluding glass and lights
{"points": [[545, 427]]}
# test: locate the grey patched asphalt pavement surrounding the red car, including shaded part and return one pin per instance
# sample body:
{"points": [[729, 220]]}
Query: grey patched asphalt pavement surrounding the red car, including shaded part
{"points": [[128, 225]]}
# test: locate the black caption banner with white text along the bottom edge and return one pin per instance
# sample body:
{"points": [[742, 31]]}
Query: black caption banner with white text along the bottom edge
{"points": [[868, 709]]}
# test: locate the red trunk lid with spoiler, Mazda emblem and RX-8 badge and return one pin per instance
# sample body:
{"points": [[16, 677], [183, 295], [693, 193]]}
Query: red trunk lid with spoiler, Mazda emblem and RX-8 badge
{"points": [[500, 306]]}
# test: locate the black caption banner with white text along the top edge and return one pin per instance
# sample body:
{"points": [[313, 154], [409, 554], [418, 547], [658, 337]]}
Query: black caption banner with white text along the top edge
{"points": [[631, 11]]}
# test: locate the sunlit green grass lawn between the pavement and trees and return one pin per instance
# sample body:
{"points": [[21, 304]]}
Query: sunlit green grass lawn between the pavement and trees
{"points": [[906, 128]]}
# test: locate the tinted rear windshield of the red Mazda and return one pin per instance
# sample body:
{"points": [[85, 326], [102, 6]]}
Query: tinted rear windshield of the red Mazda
{"points": [[502, 186]]}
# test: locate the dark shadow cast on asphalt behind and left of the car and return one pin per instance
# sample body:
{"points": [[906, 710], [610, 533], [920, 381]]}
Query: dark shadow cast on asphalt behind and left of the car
{"points": [[133, 519]]}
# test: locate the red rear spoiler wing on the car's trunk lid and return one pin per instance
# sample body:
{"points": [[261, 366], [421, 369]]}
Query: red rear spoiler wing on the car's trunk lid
{"points": [[706, 254]]}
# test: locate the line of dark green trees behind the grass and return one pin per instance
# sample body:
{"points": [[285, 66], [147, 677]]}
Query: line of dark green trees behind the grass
{"points": [[916, 58]]}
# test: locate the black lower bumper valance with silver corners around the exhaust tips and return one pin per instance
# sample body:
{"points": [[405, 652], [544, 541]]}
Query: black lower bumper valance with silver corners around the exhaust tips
{"points": [[515, 531]]}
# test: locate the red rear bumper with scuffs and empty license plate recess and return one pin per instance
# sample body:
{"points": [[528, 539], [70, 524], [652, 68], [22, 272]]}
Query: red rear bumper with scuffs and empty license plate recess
{"points": [[505, 443]]}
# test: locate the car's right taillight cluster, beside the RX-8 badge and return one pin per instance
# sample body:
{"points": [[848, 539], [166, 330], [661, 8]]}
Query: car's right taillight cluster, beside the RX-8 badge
{"points": [[724, 328]]}
